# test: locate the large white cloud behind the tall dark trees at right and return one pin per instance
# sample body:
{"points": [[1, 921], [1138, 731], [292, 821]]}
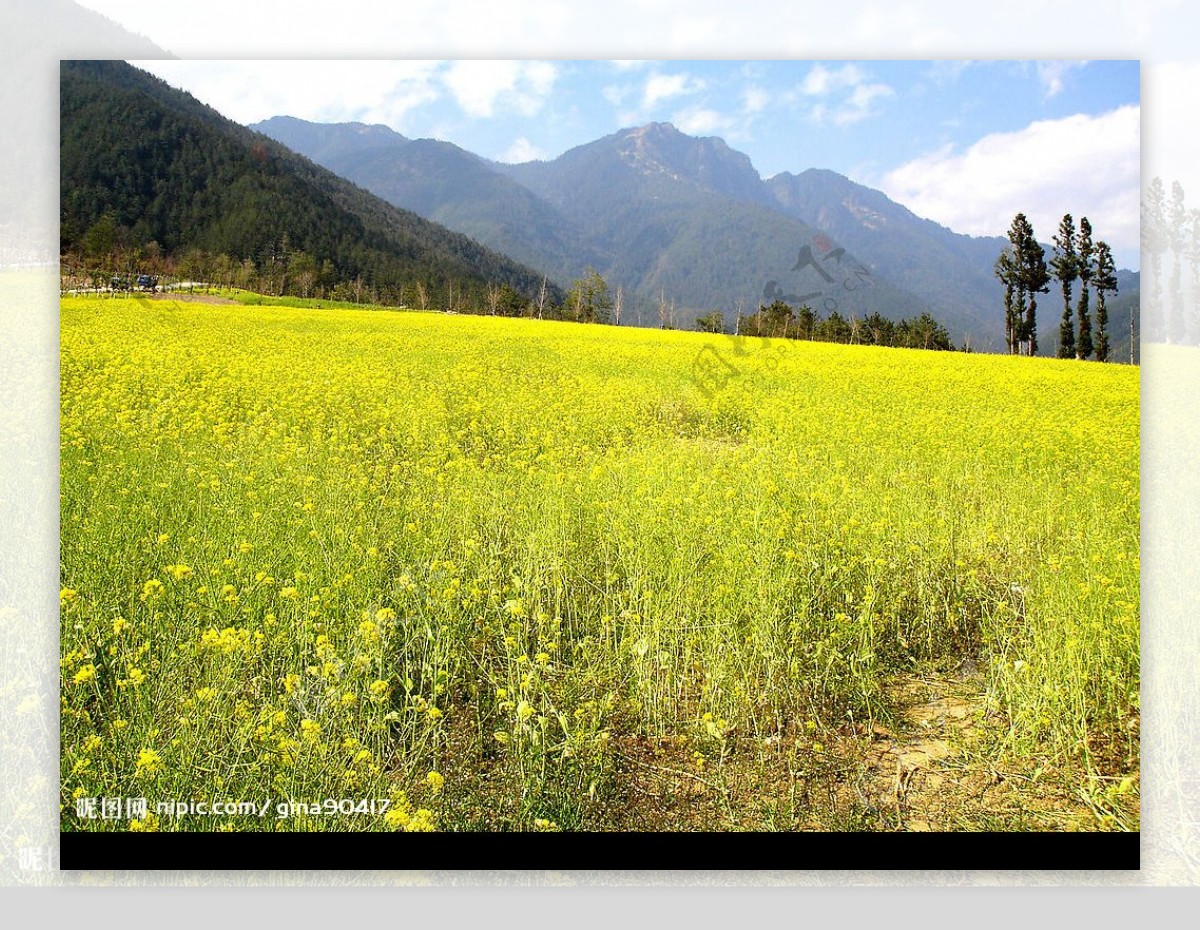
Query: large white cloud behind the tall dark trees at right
{"points": [[1082, 165]]}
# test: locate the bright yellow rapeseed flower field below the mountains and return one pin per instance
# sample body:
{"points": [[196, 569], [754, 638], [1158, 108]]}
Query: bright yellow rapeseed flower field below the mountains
{"points": [[495, 571]]}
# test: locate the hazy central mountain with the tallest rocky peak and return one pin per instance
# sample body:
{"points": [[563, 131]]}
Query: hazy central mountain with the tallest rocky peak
{"points": [[689, 219]]}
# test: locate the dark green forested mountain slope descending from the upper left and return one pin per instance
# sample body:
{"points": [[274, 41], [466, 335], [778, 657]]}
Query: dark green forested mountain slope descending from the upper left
{"points": [[145, 163]]}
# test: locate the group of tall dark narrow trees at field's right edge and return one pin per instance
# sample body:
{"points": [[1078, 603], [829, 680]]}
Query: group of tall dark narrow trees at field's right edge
{"points": [[1024, 272]]}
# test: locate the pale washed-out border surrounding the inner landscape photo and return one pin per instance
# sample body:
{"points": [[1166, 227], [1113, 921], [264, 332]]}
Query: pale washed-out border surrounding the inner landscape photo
{"points": [[35, 34]]}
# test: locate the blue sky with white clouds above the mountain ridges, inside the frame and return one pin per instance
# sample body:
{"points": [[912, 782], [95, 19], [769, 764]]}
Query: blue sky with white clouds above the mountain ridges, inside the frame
{"points": [[965, 143]]}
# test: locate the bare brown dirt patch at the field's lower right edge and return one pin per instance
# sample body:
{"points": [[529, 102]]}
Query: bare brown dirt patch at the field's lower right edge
{"points": [[926, 771]]}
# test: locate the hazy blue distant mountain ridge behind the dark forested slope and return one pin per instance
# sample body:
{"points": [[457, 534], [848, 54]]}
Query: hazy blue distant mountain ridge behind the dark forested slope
{"points": [[665, 215]]}
